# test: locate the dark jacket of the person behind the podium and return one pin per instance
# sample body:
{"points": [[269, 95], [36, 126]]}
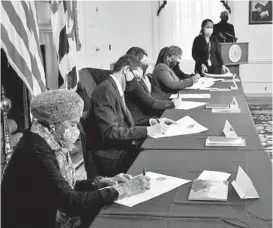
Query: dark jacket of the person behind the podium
{"points": [[224, 27]]}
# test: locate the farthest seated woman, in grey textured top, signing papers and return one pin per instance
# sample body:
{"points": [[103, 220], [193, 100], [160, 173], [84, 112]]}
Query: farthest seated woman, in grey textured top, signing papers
{"points": [[164, 81]]}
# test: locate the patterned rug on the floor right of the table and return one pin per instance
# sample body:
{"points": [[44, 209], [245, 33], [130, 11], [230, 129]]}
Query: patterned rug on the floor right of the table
{"points": [[262, 116]]}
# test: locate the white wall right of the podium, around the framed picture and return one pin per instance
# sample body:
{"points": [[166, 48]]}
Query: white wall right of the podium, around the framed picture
{"points": [[257, 74]]}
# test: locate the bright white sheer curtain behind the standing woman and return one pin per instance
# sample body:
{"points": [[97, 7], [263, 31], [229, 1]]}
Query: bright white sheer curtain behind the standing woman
{"points": [[180, 22]]}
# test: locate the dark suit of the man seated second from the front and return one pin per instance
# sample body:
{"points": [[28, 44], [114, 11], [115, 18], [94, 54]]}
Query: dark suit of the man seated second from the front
{"points": [[111, 132]]}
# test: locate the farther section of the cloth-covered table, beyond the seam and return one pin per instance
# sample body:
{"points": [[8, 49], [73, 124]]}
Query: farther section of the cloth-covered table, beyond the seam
{"points": [[242, 123]]}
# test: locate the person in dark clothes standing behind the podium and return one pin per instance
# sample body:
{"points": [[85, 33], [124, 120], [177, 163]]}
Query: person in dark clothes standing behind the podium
{"points": [[224, 31]]}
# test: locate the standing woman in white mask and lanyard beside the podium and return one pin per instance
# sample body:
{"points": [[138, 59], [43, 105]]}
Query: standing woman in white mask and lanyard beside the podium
{"points": [[206, 53]]}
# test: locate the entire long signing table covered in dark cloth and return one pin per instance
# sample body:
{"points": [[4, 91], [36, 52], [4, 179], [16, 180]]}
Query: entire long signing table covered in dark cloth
{"points": [[186, 157]]}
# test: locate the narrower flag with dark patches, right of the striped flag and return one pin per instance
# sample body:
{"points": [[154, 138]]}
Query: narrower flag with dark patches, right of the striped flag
{"points": [[63, 20]]}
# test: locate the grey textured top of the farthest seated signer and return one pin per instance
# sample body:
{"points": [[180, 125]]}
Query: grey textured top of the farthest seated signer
{"points": [[165, 82]]}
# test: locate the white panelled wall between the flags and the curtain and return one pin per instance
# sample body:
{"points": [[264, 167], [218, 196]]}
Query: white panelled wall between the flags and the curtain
{"points": [[126, 24]]}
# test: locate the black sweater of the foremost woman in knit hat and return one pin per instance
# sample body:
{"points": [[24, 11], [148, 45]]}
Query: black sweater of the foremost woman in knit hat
{"points": [[33, 188]]}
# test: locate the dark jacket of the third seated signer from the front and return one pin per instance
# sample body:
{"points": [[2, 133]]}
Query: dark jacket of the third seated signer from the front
{"points": [[142, 105]]}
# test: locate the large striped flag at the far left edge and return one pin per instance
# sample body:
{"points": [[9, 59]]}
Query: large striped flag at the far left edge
{"points": [[20, 41]]}
